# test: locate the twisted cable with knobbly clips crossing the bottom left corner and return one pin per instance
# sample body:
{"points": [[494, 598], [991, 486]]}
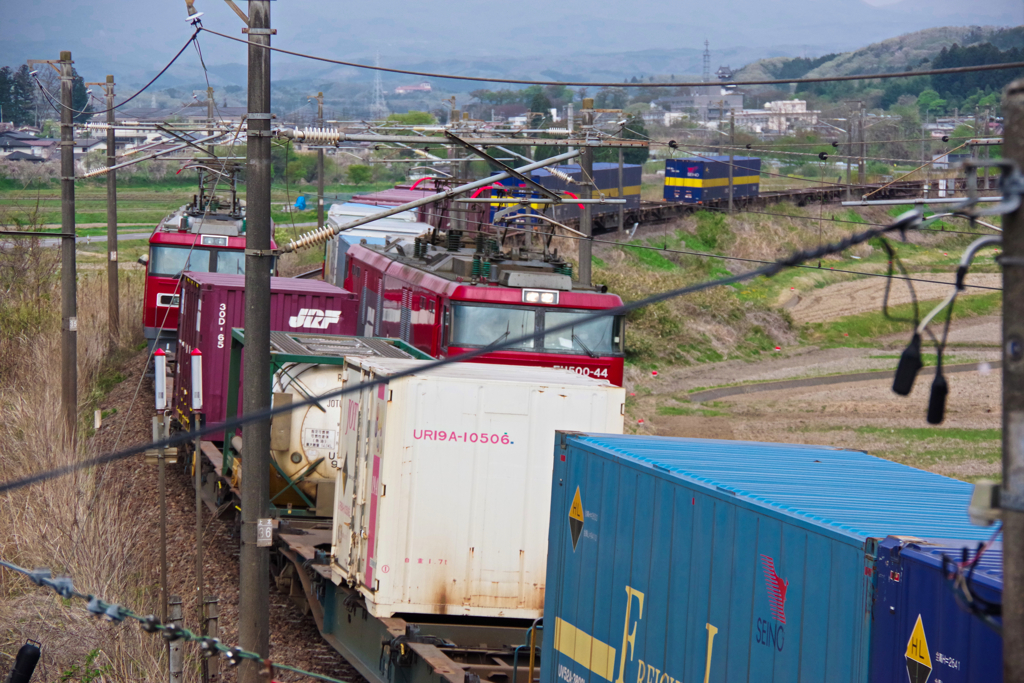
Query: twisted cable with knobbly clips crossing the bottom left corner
{"points": [[64, 587]]}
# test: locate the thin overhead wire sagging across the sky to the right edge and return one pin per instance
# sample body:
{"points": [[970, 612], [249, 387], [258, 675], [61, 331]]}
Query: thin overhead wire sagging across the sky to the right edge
{"points": [[406, 72]]}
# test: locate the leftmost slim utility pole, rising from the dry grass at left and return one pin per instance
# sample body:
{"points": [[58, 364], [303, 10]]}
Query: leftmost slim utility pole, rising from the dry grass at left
{"points": [[69, 287]]}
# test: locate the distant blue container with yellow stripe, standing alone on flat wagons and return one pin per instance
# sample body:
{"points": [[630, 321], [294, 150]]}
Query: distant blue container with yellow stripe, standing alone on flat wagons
{"points": [[707, 180]]}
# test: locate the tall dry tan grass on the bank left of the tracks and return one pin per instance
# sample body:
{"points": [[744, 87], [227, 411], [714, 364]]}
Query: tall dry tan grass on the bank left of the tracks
{"points": [[66, 524]]}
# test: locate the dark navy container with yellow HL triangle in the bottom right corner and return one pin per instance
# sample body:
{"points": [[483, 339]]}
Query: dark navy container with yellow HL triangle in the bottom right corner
{"points": [[950, 645]]}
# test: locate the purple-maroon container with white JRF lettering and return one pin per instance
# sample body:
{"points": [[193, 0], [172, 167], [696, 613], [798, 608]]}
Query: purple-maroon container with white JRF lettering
{"points": [[214, 304]]}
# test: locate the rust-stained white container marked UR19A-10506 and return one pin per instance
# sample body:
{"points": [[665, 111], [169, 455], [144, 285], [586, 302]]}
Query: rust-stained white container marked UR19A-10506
{"points": [[444, 489]]}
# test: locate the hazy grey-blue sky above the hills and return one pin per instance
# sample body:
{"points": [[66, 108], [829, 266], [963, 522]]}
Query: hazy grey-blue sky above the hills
{"points": [[134, 38]]}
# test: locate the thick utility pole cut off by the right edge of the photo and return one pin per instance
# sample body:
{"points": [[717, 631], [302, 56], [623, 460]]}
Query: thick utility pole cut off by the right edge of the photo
{"points": [[1012, 496]]}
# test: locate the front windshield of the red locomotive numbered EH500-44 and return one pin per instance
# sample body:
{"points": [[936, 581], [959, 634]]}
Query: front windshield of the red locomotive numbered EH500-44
{"points": [[486, 325]]}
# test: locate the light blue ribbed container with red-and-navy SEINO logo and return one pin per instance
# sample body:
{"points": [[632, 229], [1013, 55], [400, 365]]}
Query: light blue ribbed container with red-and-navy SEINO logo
{"points": [[675, 561]]}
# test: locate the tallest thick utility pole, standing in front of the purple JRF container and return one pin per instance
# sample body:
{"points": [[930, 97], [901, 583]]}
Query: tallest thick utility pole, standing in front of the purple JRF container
{"points": [[254, 588]]}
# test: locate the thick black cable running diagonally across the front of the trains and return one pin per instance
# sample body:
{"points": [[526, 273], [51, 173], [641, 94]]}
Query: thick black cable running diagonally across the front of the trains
{"points": [[909, 222]]}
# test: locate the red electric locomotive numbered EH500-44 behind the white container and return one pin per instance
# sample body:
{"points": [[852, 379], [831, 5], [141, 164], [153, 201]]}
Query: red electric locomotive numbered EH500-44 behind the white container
{"points": [[448, 301]]}
